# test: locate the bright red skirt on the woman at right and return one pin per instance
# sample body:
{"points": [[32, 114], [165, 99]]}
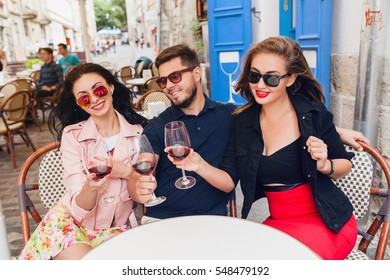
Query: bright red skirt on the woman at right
{"points": [[294, 212]]}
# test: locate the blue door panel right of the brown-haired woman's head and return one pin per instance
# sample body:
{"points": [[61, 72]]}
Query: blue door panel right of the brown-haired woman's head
{"points": [[313, 33]]}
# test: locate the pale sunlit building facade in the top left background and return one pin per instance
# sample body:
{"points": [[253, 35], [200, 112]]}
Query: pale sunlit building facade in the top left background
{"points": [[27, 25]]}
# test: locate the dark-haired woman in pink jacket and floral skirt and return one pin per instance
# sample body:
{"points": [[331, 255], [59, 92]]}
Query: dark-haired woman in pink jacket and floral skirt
{"points": [[92, 105]]}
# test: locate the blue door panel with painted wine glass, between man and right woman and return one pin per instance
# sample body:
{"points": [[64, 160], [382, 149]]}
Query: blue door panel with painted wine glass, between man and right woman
{"points": [[230, 36]]}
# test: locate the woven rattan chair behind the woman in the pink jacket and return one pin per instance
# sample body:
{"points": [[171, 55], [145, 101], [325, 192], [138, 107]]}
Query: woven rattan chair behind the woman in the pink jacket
{"points": [[37, 192]]}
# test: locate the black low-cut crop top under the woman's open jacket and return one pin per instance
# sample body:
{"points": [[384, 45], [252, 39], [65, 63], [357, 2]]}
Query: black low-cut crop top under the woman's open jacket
{"points": [[282, 167]]}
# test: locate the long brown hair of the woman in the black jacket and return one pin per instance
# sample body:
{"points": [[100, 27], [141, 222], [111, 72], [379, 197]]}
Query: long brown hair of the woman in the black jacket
{"points": [[291, 52]]}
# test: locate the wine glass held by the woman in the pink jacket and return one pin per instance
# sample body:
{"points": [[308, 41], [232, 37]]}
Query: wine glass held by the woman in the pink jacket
{"points": [[99, 161]]}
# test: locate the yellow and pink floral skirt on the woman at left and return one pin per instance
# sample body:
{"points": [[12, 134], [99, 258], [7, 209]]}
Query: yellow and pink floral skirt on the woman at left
{"points": [[58, 230]]}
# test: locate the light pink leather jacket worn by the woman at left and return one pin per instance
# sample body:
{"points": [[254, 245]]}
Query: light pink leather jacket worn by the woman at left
{"points": [[102, 215]]}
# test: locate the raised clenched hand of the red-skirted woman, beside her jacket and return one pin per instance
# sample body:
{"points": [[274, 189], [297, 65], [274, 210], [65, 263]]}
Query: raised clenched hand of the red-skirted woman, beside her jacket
{"points": [[319, 152]]}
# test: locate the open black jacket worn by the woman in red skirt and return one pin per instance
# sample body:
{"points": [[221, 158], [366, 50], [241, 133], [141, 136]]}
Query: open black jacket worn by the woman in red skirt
{"points": [[245, 148]]}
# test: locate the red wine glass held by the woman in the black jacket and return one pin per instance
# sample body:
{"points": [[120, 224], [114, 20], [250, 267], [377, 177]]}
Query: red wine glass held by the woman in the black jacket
{"points": [[178, 140]]}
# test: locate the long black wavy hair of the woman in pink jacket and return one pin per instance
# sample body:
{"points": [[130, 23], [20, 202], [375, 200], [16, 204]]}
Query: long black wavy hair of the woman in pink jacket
{"points": [[68, 112]]}
